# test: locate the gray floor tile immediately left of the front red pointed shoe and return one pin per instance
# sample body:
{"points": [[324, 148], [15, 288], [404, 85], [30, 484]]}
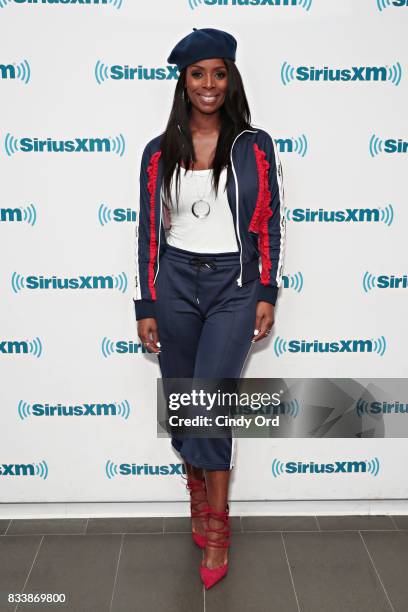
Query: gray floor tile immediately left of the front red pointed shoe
{"points": [[158, 573]]}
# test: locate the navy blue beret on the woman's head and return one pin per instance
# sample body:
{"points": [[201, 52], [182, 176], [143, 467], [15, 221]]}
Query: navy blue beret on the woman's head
{"points": [[206, 43]]}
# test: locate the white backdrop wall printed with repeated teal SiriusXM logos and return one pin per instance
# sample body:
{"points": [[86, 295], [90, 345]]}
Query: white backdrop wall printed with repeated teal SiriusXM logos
{"points": [[84, 85]]}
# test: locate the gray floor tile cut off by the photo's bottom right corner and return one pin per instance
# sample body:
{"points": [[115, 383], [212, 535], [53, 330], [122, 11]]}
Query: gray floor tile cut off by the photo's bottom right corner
{"points": [[390, 555]]}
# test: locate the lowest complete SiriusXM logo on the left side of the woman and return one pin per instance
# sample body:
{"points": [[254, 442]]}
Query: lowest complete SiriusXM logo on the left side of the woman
{"points": [[39, 409]]}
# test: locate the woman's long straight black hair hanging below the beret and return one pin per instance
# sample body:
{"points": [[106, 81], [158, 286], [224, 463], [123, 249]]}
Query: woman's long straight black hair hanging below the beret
{"points": [[177, 144]]}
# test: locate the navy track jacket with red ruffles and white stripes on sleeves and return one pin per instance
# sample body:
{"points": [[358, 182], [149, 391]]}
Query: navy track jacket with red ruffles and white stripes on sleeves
{"points": [[256, 198]]}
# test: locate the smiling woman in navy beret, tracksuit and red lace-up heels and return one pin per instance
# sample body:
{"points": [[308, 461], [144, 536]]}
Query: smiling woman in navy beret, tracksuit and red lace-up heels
{"points": [[211, 207]]}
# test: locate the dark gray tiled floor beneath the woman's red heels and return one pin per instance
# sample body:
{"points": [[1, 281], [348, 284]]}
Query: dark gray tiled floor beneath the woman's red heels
{"points": [[277, 564]]}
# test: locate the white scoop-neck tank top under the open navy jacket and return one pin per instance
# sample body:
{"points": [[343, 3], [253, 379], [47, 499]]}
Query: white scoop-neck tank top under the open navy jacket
{"points": [[213, 233]]}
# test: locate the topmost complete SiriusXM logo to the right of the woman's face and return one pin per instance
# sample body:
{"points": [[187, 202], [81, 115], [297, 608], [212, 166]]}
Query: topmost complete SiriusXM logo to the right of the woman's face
{"points": [[393, 74]]}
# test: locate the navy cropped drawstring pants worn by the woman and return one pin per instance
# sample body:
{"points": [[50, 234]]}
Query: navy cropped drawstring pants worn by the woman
{"points": [[205, 325]]}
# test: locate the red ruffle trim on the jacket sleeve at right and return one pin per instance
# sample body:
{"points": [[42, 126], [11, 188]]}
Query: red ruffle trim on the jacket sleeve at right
{"points": [[262, 213]]}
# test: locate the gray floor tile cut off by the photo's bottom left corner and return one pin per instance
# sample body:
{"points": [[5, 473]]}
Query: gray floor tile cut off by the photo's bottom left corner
{"points": [[16, 557]]}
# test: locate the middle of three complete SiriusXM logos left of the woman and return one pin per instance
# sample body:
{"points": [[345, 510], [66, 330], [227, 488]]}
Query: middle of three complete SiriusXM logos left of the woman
{"points": [[20, 282]]}
